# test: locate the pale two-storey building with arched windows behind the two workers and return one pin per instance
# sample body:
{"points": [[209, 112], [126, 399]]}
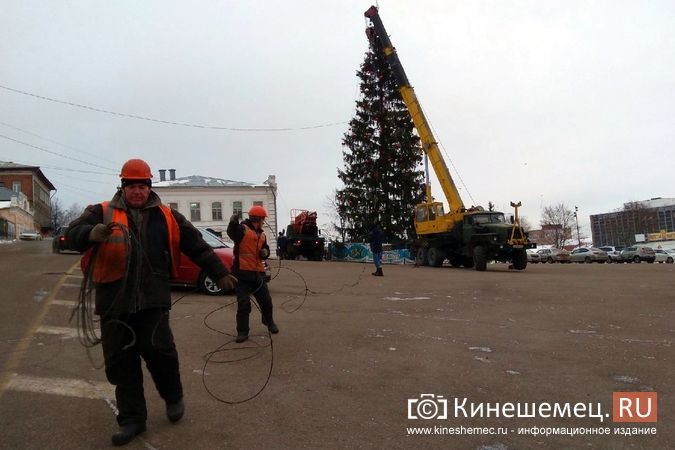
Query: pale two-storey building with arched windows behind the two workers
{"points": [[210, 202]]}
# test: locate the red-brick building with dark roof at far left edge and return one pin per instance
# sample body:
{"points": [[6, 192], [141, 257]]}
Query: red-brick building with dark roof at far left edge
{"points": [[30, 181]]}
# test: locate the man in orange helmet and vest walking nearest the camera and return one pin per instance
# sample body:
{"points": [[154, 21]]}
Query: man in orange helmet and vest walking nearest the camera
{"points": [[133, 246]]}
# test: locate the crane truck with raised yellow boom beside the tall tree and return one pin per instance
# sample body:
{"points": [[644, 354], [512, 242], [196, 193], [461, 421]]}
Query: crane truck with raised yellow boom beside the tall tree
{"points": [[468, 237]]}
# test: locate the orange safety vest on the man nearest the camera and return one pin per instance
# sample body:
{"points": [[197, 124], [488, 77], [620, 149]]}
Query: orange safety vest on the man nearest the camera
{"points": [[111, 256]]}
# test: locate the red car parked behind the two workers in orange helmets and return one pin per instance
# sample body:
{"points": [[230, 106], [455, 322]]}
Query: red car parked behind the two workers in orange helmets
{"points": [[190, 274]]}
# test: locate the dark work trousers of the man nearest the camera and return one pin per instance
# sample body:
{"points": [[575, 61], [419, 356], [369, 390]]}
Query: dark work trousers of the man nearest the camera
{"points": [[145, 334]]}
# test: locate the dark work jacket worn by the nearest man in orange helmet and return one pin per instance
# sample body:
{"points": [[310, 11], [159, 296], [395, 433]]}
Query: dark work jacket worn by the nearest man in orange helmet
{"points": [[147, 283]]}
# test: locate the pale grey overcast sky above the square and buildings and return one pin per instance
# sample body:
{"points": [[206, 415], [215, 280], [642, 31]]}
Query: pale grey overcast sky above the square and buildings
{"points": [[538, 101]]}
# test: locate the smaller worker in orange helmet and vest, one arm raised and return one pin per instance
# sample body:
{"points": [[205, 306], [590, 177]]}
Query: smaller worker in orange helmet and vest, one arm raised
{"points": [[250, 249]]}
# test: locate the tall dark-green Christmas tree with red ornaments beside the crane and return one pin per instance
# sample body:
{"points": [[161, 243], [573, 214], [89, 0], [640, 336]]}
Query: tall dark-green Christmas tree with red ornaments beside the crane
{"points": [[382, 177]]}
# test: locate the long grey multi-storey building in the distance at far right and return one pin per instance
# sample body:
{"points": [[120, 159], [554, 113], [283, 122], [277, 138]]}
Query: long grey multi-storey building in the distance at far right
{"points": [[654, 219]]}
